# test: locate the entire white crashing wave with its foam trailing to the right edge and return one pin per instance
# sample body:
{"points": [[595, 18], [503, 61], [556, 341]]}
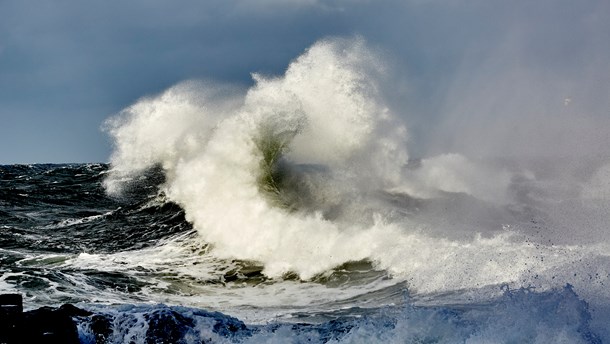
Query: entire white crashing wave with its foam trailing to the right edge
{"points": [[307, 171]]}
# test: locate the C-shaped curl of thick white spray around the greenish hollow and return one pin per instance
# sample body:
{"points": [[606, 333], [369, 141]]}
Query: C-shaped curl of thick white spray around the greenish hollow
{"points": [[324, 111]]}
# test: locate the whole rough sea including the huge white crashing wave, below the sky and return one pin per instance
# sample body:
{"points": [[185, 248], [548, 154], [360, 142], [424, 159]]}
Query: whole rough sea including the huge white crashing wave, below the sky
{"points": [[292, 212]]}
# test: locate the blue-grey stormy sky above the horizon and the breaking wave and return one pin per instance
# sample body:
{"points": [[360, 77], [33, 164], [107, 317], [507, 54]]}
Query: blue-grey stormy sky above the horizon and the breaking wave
{"points": [[483, 77]]}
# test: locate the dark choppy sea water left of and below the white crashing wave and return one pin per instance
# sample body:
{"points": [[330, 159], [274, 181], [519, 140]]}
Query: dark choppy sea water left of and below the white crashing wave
{"points": [[136, 263]]}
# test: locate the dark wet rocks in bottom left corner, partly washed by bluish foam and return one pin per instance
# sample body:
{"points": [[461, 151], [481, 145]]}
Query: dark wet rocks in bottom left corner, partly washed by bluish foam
{"points": [[156, 324]]}
